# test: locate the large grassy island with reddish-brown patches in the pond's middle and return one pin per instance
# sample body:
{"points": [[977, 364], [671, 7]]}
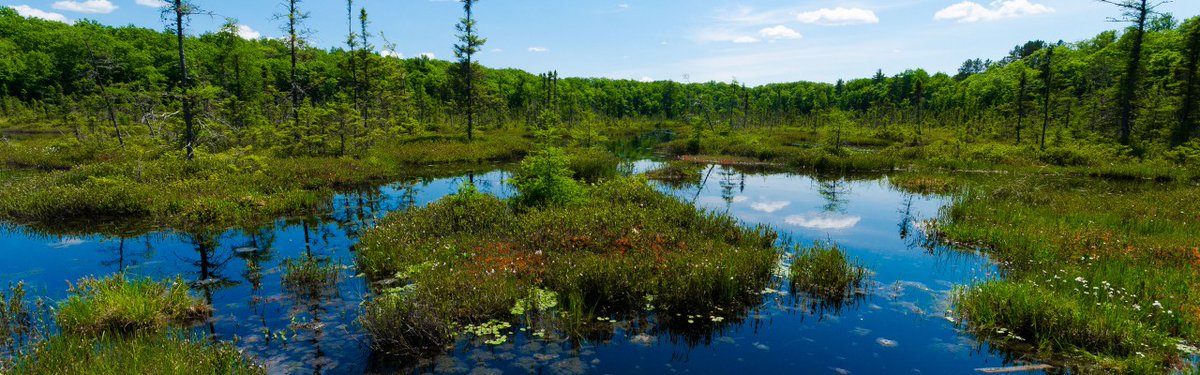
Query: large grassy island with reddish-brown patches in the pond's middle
{"points": [[472, 259]]}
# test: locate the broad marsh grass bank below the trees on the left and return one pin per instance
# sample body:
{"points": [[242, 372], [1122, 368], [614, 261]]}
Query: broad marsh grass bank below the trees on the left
{"points": [[236, 188]]}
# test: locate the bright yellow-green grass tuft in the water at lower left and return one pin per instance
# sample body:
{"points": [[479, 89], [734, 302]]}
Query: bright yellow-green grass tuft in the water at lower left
{"points": [[117, 305]]}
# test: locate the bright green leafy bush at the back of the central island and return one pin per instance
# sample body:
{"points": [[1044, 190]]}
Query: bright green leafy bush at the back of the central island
{"points": [[545, 178]]}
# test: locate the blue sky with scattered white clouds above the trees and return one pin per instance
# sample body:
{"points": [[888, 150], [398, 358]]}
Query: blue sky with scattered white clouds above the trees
{"points": [[755, 41]]}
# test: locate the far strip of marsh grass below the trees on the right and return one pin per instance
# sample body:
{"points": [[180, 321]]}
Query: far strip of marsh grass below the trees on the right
{"points": [[891, 148]]}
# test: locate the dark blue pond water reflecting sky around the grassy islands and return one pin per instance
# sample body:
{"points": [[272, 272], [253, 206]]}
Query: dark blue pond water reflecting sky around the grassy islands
{"points": [[901, 326]]}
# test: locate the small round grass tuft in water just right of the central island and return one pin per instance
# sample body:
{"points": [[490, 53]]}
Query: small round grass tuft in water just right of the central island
{"points": [[825, 273]]}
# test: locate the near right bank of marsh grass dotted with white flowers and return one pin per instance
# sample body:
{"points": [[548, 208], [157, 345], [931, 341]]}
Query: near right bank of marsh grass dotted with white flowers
{"points": [[1096, 271]]}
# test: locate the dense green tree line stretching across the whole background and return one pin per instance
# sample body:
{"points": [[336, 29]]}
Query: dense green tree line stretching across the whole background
{"points": [[1135, 87]]}
